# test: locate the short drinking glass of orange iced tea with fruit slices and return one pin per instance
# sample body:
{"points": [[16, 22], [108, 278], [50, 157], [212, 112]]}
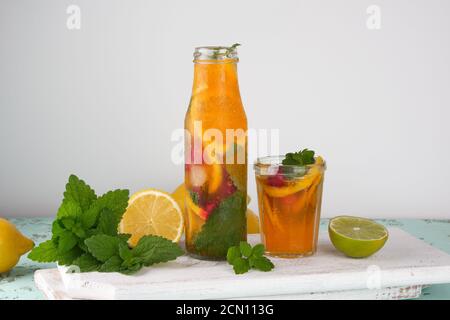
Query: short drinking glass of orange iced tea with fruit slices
{"points": [[289, 199]]}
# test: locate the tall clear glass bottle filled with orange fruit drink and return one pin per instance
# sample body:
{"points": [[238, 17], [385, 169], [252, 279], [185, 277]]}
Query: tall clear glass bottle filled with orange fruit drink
{"points": [[216, 156]]}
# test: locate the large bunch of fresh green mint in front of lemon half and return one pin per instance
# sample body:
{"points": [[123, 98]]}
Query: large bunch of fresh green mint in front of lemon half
{"points": [[84, 234]]}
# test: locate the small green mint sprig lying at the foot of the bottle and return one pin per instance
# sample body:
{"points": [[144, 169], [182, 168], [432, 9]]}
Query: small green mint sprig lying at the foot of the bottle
{"points": [[244, 257]]}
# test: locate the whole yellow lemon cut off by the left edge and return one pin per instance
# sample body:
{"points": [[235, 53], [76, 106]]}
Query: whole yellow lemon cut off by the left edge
{"points": [[13, 244]]}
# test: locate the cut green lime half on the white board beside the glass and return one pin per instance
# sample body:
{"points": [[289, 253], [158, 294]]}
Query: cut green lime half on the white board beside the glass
{"points": [[357, 237]]}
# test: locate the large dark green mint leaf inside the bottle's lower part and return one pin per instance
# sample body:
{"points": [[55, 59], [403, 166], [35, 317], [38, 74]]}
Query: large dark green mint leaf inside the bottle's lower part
{"points": [[225, 227]]}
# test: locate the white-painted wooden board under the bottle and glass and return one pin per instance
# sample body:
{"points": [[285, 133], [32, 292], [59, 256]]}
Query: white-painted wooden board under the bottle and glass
{"points": [[398, 271]]}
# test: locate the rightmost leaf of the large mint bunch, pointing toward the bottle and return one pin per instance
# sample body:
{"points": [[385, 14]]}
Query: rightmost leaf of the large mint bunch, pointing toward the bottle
{"points": [[154, 249]]}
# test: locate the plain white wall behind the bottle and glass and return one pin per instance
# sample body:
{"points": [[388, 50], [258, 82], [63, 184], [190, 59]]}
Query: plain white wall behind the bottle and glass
{"points": [[103, 101]]}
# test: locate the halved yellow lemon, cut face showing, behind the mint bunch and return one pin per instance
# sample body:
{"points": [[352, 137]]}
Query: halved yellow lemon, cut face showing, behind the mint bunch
{"points": [[152, 212]]}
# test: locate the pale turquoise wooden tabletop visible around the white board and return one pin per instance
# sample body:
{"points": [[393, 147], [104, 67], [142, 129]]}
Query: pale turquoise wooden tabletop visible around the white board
{"points": [[19, 284]]}
